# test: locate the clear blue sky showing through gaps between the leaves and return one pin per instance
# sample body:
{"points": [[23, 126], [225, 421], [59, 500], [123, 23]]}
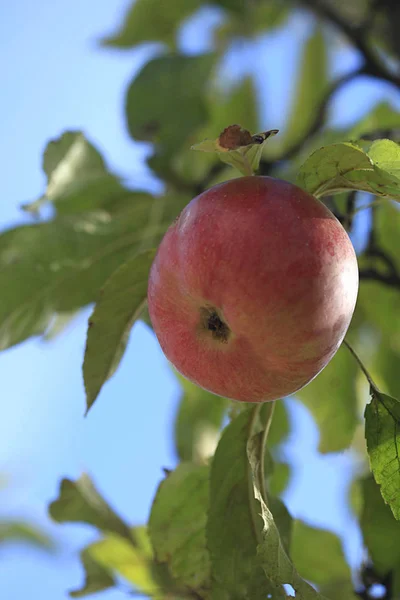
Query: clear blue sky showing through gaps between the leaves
{"points": [[54, 77]]}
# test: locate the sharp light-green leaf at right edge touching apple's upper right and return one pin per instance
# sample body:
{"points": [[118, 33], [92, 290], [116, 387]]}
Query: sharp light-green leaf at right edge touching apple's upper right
{"points": [[346, 166]]}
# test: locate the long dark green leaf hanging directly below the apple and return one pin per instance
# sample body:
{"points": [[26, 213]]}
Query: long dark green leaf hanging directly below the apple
{"points": [[234, 526]]}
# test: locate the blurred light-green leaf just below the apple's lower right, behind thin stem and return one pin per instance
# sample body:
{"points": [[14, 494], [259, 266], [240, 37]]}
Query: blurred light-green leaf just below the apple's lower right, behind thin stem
{"points": [[331, 398]]}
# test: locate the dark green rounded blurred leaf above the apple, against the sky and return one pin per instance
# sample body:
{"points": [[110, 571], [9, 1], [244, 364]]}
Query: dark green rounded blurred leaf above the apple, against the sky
{"points": [[165, 102]]}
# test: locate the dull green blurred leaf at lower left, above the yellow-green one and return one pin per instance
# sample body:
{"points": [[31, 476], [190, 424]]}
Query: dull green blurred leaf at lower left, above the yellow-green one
{"points": [[80, 502]]}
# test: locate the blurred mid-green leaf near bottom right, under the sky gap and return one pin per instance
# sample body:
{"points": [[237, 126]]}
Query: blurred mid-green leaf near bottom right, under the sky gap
{"points": [[324, 560]]}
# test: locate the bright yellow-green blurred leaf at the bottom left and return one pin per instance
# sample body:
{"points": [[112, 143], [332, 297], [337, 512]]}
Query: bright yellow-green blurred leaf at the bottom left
{"points": [[132, 562]]}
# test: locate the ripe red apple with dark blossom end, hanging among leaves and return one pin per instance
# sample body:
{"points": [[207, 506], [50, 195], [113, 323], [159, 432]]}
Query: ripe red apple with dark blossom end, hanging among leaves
{"points": [[252, 289]]}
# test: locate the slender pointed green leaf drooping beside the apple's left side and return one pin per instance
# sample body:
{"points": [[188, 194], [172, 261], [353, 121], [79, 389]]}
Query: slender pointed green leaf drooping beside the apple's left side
{"points": [[119, 306]]}
